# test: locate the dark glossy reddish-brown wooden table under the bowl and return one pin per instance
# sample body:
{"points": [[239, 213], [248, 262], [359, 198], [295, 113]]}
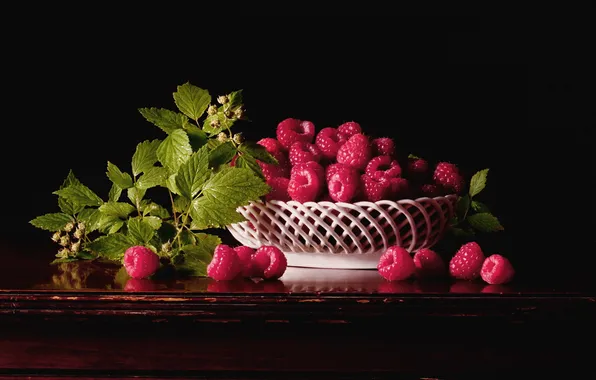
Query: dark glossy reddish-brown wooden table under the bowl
{"points": [[87, 320]]}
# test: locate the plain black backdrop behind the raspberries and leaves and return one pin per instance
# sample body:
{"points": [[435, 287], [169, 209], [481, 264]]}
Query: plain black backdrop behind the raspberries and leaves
{"points": [[514, 102]]}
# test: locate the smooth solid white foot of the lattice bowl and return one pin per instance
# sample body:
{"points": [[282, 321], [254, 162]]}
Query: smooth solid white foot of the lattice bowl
{"points": [[333, 261]]}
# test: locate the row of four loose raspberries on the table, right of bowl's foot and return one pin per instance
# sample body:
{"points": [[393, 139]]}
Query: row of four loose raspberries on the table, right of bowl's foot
{"points": [[468, 263]]}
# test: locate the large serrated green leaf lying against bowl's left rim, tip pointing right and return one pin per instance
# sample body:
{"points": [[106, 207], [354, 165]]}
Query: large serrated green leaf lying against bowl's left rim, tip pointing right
{"points": [[234, 187]]}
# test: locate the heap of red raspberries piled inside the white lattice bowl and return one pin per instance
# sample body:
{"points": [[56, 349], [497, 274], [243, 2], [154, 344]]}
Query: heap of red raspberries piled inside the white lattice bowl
{"points": [[343, 164]]}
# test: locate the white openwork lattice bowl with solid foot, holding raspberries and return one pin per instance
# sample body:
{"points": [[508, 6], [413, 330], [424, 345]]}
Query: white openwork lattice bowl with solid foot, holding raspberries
{"points": [[343, 235]]}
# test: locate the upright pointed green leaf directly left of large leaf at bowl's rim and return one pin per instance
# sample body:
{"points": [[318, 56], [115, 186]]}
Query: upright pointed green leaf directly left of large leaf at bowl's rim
{"points": [[193, 174]]}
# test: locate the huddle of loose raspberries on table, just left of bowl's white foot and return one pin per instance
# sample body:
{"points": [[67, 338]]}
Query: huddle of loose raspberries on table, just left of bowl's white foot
{"points": [[266, 262]]}
